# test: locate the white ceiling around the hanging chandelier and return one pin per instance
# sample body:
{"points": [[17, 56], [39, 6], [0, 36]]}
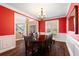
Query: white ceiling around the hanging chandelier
{"points": [[50, 9]]}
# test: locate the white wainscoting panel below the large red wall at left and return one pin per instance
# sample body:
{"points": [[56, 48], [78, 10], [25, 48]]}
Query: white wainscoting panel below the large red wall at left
{"points": [[7, 42]]}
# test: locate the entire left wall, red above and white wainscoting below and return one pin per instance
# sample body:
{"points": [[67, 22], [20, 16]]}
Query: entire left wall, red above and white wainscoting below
{"points": [[7, 37]]}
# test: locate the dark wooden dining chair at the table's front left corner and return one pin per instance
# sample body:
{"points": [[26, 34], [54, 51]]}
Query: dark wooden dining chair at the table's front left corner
{"points": [[31, 48]]}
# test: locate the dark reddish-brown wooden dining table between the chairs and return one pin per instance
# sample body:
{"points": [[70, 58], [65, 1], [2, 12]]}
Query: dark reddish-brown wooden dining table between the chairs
{"points": [[39, 44]]}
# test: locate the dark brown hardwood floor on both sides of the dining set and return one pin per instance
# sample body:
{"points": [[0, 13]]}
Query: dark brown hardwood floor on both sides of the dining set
{"points": [[59, 49]]}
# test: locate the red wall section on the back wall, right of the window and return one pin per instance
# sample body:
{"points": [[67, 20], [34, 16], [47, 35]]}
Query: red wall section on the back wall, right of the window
{"points": [[62, 25]]}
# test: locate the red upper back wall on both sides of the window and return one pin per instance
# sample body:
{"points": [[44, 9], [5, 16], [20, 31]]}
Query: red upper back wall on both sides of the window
{"points": [[62, 25]]}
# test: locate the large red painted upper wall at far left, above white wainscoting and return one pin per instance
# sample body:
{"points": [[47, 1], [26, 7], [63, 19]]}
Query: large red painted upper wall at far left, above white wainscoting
{"points": [[6, 21]]}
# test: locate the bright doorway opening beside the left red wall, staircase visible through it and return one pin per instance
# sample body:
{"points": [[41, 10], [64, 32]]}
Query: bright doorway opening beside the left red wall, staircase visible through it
{"points": [[20, 26]]}
